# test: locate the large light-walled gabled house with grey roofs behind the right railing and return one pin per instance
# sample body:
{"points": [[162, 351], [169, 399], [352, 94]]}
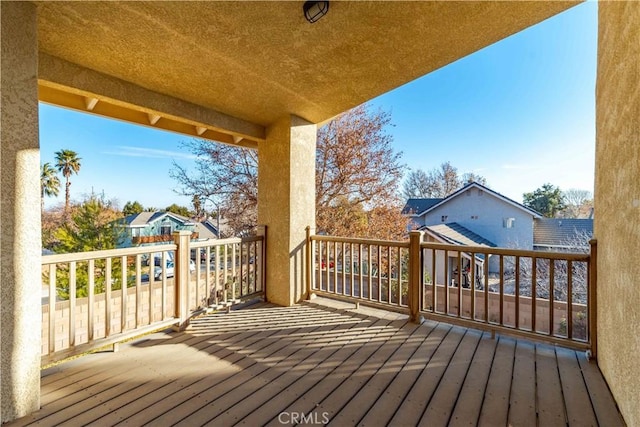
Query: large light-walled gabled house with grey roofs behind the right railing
{"points": [[478, 216]]}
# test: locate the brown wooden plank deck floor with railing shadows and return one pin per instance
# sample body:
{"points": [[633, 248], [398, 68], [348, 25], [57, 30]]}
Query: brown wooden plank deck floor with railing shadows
{"points": [[313, 364]]}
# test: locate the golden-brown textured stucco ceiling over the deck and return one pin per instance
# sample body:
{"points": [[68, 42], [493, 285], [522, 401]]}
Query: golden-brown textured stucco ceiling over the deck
{"points": [[259, 61]]}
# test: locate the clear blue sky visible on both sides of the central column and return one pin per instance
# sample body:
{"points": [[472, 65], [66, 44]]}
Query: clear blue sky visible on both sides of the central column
{"points": [[520, 112]]}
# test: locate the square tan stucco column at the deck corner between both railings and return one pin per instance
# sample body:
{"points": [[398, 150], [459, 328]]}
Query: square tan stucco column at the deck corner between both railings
{"points": [[286, 204]]}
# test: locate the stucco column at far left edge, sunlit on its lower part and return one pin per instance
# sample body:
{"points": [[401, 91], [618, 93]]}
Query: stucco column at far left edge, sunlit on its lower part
{"points": [[20, 244]]}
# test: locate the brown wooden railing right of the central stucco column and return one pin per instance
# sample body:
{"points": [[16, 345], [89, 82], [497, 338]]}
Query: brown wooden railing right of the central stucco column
{"points": [[535, 294]]}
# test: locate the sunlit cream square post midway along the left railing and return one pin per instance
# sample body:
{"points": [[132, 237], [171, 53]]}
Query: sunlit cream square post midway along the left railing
{"points": [[181, 259]]}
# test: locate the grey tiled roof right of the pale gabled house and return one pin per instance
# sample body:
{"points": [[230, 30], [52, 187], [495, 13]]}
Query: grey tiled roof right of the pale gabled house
{"points": [[566, 234]]}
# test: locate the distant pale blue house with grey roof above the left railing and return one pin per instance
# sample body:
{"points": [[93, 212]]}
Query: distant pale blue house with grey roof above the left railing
{"points": [[157, 227]]}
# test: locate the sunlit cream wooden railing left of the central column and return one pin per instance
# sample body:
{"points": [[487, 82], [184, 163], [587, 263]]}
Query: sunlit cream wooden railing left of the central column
{"points": [[102, 297]]}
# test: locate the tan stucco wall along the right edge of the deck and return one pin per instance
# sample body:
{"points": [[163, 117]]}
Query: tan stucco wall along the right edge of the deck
{"points": [[617, 202]]}
